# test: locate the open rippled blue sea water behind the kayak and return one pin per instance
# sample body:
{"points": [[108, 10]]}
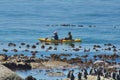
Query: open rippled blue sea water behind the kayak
{"points": [[28, 20]]}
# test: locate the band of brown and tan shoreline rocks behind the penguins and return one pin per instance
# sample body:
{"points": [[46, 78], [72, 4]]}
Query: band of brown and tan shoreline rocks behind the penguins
{"points": [[17, 62]]}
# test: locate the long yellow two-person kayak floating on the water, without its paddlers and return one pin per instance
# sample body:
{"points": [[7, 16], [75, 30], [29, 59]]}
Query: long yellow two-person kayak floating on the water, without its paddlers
{"points": [[56, 41]]}
